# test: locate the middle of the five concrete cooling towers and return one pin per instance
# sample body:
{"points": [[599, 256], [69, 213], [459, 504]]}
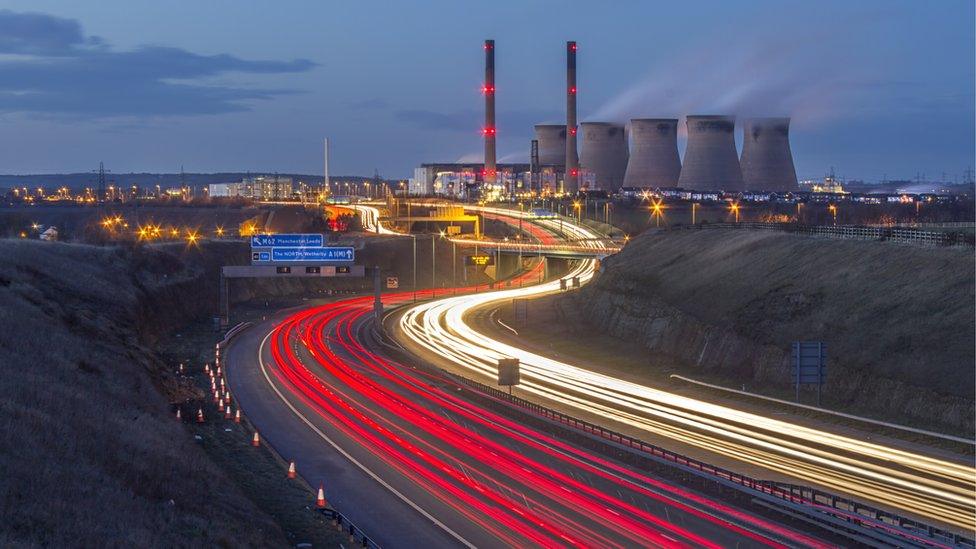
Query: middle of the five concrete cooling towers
{"points": [[654, 158]]}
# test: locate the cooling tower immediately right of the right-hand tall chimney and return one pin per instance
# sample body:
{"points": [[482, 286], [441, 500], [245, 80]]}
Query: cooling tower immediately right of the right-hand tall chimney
{"points": [[604, 154]]}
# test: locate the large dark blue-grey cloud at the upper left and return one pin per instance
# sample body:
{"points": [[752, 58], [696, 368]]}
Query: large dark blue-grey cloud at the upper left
{"points": [[55, 69]]}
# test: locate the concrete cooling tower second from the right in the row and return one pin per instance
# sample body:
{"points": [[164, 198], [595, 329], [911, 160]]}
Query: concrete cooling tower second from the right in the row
{"points": [[710, 162]]}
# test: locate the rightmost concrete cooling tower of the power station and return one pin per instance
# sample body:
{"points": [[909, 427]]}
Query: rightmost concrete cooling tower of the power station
{"points": [[767, 162]]}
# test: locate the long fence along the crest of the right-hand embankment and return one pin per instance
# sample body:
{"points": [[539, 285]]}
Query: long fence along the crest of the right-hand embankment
{"points": [[893, 234]]}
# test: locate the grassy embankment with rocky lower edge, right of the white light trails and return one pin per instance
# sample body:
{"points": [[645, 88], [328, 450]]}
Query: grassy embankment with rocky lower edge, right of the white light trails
{"points": [[898, 320]]}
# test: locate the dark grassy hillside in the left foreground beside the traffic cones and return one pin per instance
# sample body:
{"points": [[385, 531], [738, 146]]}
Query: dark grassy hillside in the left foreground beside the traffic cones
{"points": [[90, 454]]}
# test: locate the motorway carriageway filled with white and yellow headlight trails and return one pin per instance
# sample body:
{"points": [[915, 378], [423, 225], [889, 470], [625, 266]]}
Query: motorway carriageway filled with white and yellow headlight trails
{"points": [[934, 489]]}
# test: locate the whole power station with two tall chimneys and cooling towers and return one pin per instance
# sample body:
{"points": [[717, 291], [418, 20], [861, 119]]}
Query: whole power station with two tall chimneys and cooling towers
{"points": [[605, 162]]}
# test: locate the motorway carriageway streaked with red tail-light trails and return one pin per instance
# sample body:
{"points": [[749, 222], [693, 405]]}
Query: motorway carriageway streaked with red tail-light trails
{"points": [[412, 462]]}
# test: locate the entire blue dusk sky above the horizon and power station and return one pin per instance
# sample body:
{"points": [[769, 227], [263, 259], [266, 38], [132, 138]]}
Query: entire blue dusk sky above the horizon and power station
{"points": [[875, 88]]}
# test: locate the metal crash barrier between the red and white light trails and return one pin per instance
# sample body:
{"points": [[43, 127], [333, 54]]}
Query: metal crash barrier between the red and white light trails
{"points": [[848, 510]]}
